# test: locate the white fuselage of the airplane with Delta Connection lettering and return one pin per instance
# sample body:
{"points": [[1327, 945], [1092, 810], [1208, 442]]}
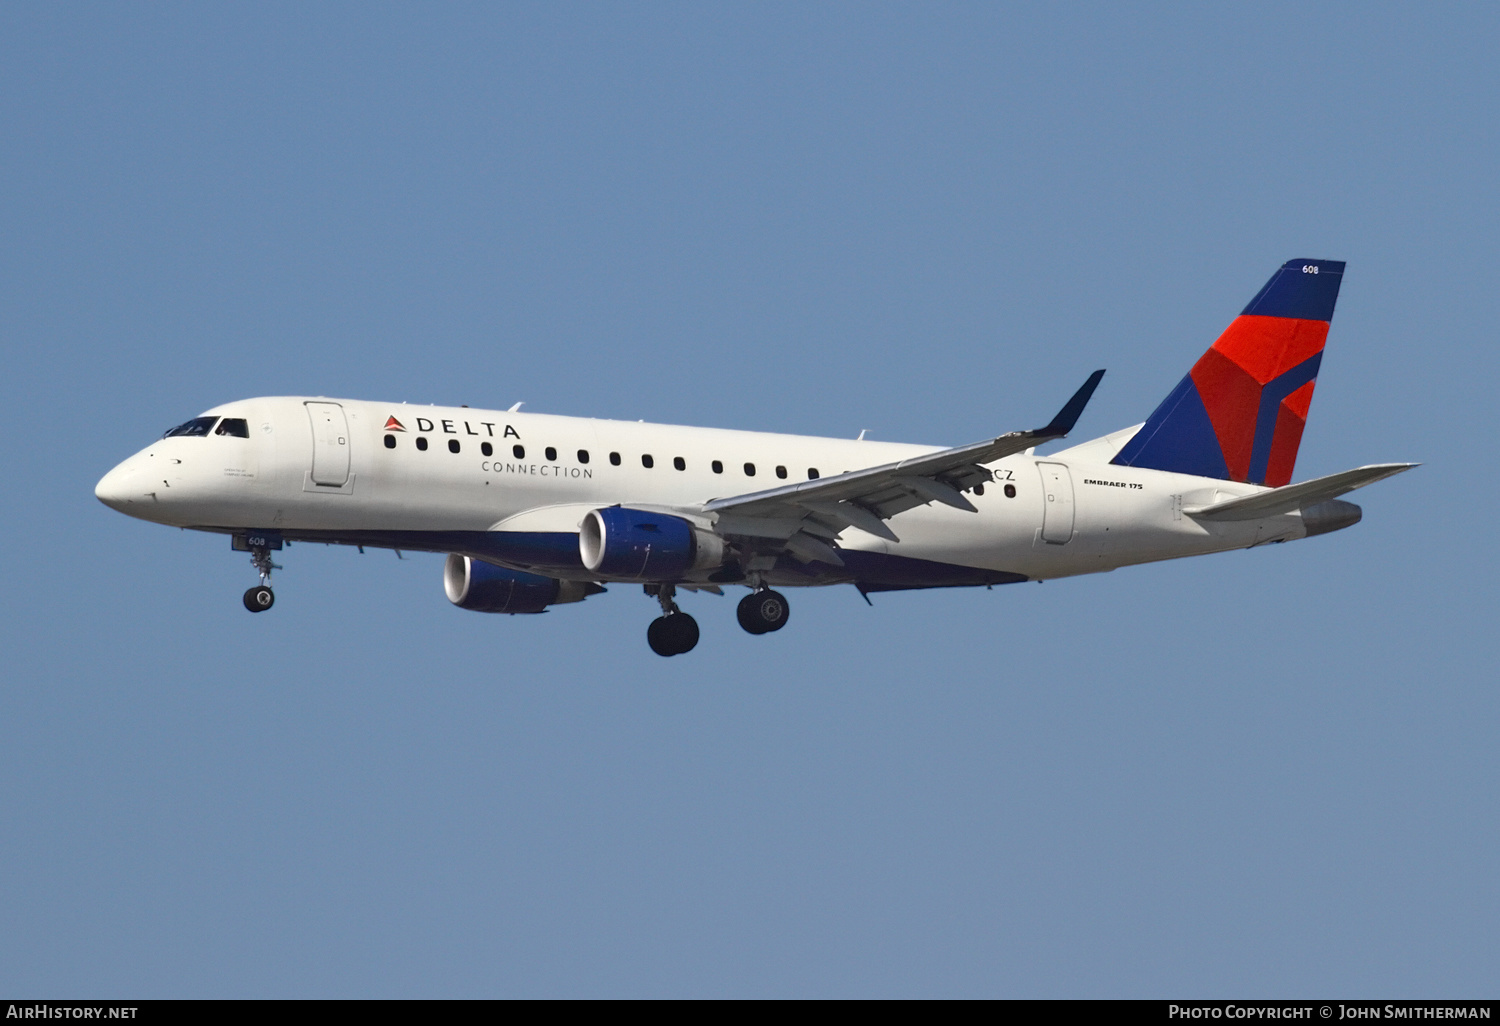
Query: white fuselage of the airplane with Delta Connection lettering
{"points": [[323, 470]]}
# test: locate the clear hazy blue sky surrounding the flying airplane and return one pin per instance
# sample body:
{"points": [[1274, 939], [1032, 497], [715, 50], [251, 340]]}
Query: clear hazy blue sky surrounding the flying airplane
{"points": [[1258, 775]]}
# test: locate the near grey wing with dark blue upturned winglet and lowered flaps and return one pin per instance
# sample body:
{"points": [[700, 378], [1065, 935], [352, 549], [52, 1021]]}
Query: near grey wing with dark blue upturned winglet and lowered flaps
{"points": [[811, 514]]}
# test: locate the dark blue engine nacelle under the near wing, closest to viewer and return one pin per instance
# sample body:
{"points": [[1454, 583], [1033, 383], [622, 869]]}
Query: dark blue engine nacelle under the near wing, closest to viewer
{"points": [[638, 545]]}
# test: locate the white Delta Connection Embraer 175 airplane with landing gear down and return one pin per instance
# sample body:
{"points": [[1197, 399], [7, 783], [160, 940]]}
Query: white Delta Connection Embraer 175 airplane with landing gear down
{"points": [[539, 511]]}
